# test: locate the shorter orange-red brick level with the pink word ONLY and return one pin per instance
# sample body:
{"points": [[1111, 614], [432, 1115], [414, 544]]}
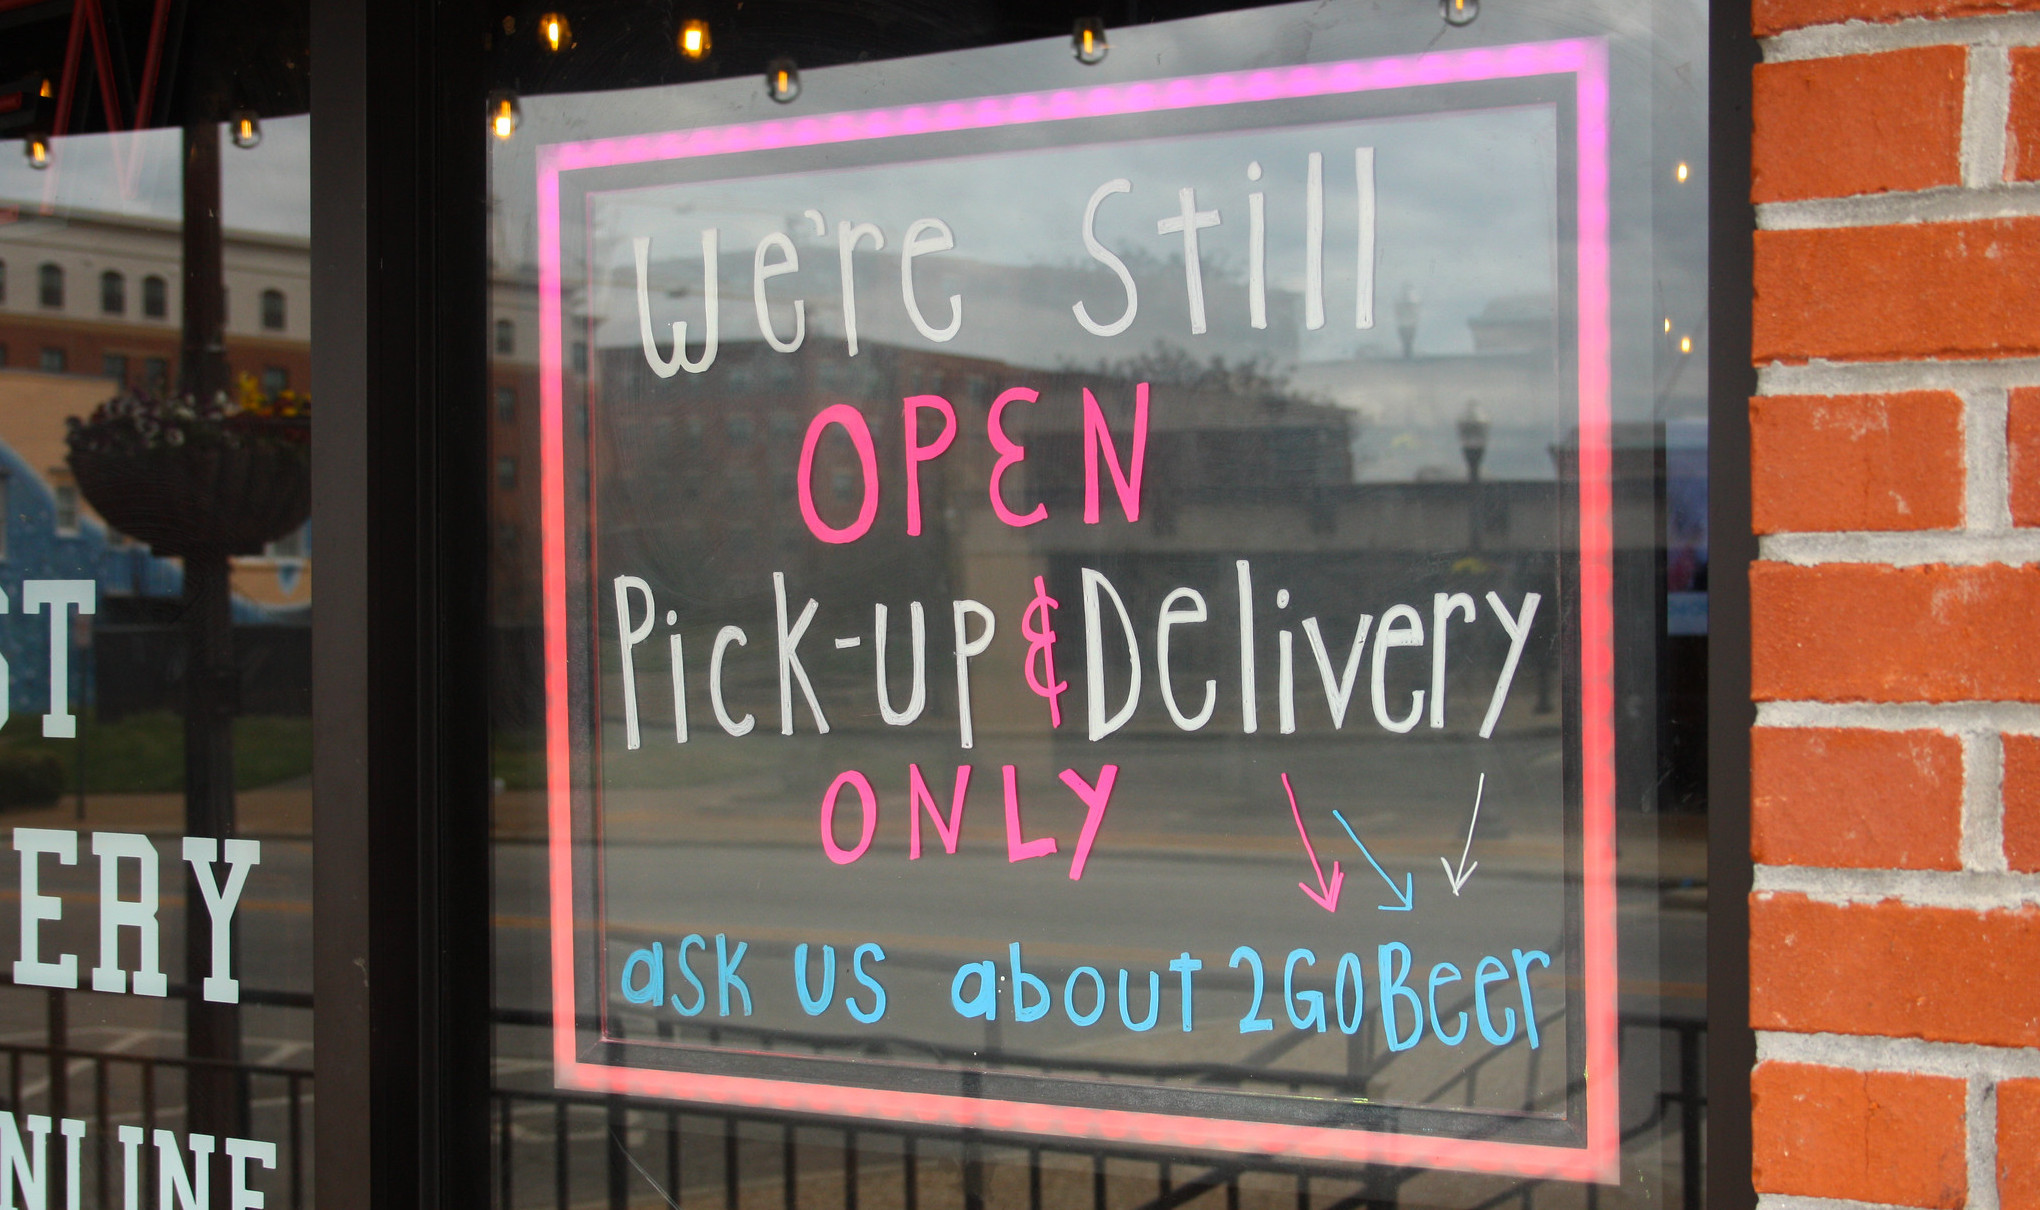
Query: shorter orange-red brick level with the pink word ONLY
{"points": [[1855, 799]]}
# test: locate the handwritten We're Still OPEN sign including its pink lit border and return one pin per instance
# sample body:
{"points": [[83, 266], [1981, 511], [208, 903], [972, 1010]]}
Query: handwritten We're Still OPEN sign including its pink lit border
{"points": [[1015, 656]]}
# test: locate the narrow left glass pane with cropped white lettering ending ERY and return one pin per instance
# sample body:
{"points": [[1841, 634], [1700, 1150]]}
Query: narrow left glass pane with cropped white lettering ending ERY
{"points": [[156, 748]]}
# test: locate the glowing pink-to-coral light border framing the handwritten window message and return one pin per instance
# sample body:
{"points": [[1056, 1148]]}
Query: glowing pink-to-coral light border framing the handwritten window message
{"points": [[1586, 60]]}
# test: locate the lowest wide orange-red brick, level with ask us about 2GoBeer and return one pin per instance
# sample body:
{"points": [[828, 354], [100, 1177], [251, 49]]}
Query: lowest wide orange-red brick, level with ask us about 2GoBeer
{"points": [[1896, 970]]}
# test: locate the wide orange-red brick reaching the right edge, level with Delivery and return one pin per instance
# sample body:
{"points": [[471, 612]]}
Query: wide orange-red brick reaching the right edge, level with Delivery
{"points": [[1874, 634]]}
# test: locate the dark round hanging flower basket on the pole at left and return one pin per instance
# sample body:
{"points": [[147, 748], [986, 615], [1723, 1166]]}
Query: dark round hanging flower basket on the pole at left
{"points": [[187, 476]]}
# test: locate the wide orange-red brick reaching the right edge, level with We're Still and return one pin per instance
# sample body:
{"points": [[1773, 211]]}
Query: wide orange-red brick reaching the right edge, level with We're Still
{"points": [[1912, 291]]}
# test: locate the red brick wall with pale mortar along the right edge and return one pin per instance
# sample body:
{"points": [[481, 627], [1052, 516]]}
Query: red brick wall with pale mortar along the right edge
{"points": [[1896, 605]]}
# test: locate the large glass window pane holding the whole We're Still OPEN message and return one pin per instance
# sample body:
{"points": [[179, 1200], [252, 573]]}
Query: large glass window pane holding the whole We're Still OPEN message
{"points": [[1105, 607]]}
